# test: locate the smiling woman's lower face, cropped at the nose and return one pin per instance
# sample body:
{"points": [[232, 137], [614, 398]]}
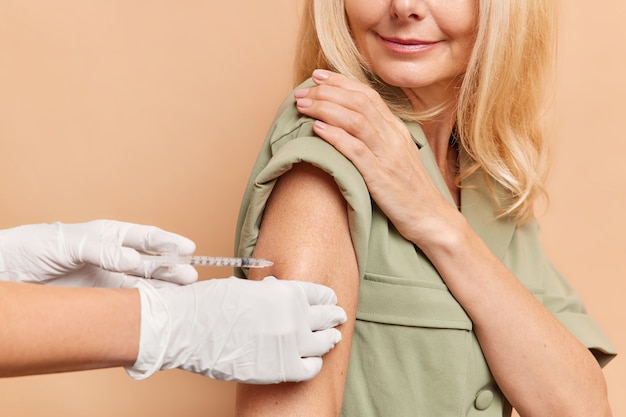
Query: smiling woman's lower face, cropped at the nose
{"points": [[414, 44]]}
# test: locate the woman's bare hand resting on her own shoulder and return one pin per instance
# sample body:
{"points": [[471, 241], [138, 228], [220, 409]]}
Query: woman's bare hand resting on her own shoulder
{"points": [[354, 119]]}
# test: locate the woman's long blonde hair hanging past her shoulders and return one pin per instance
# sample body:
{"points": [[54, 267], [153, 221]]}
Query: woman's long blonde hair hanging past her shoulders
{"points": [[501, 105]]}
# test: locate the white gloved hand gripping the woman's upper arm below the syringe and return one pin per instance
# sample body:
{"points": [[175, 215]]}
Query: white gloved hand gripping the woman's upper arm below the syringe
{"points": [[233, 329]]}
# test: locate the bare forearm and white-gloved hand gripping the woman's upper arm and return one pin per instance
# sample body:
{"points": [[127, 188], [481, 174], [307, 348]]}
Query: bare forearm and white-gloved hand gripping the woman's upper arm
{"points": [[216, 328]]}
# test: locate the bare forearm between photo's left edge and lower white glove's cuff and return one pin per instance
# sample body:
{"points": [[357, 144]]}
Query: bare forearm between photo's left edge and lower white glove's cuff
{"points": [[54, 329]]}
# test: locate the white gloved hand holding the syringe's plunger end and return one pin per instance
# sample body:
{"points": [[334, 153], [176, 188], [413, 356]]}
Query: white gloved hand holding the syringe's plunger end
{"points": [[100, 253]]}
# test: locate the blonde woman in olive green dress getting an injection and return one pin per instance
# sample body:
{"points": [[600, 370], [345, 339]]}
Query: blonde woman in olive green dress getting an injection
{"points": [[453, 308]]}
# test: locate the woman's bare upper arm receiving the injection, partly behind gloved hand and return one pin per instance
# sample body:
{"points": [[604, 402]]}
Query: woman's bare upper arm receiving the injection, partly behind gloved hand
{"points": [[305, 232]]}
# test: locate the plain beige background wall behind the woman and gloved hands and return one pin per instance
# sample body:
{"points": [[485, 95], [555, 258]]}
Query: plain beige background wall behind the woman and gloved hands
{"points": [[153, 111]]}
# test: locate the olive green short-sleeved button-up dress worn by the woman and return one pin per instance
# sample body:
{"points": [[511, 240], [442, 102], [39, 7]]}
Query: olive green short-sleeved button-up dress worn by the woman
{"points": [[414, 350]]}
